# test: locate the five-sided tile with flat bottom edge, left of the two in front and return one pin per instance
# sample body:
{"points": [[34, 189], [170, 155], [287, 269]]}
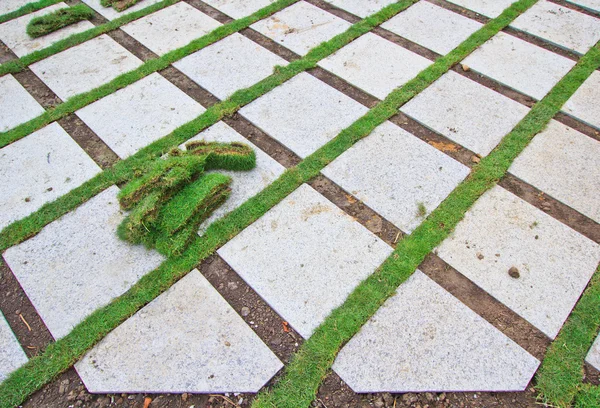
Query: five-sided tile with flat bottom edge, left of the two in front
{"points": [[186, 340]]}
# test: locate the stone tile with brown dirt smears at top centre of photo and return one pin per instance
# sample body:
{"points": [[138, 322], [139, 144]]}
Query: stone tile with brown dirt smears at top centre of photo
{"points": [[301, 27]]}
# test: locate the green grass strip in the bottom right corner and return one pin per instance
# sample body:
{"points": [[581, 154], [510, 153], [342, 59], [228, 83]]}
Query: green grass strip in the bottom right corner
{"points": [[560, 378]]}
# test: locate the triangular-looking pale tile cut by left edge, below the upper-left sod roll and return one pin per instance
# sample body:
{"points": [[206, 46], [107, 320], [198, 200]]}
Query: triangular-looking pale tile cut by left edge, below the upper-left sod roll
{"points": [[16, 104]]}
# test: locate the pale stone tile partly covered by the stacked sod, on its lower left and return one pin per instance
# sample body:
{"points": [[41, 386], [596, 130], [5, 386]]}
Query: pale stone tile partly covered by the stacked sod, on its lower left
{"points": [[77, 263]]}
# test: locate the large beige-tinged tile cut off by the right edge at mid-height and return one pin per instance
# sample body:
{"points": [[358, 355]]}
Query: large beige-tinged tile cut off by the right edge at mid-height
{"points": [[565, 164]]}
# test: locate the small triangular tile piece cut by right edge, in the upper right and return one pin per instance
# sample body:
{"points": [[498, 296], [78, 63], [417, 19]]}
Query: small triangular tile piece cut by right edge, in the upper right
{"points": [[584, 105]]}
